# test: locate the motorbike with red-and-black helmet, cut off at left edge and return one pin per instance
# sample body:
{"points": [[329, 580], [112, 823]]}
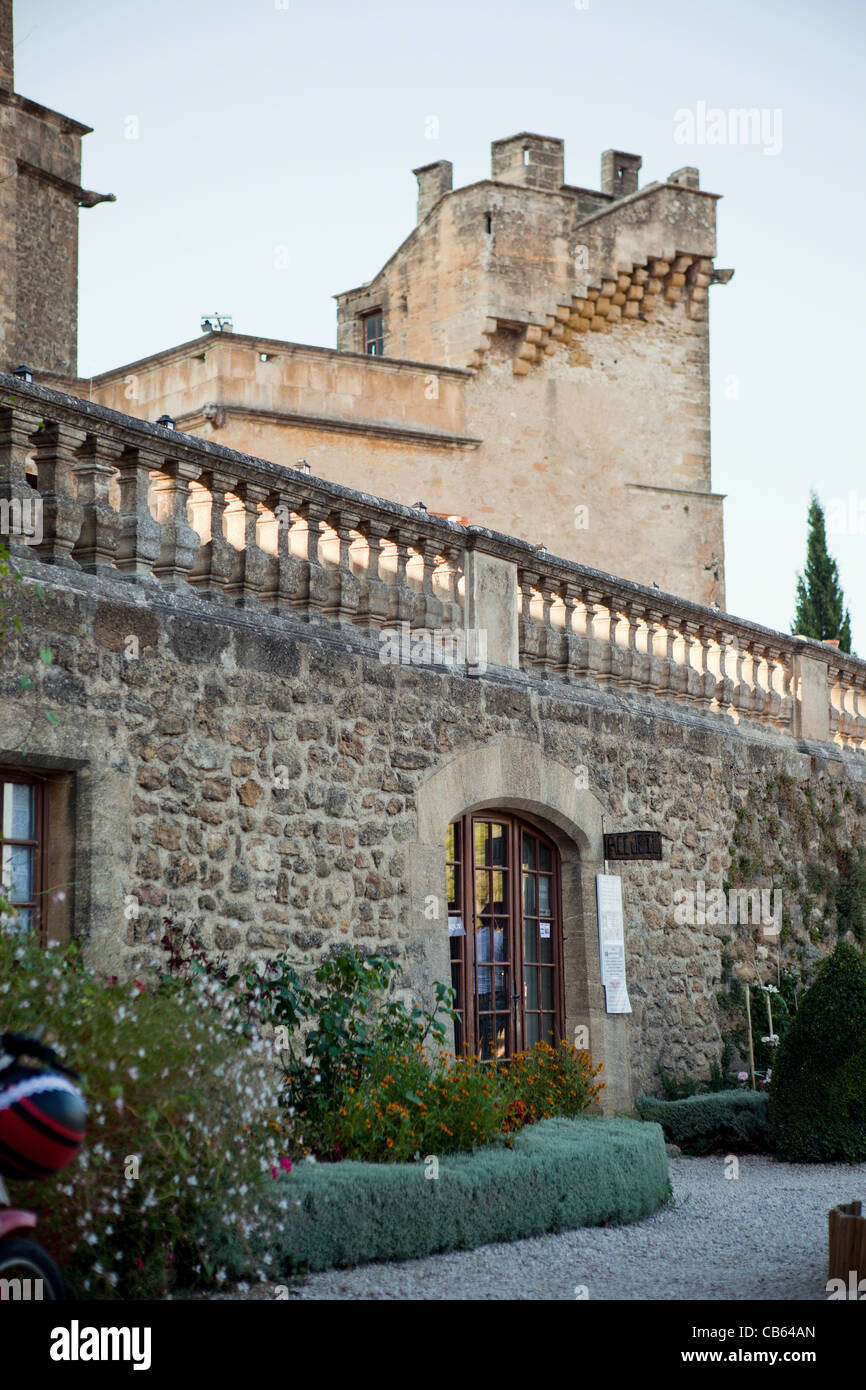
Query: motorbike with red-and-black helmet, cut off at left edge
{"points": [[42, 1128]]}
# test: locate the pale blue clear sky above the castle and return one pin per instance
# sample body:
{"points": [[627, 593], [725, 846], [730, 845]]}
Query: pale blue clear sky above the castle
{"points": [[262, 126]]}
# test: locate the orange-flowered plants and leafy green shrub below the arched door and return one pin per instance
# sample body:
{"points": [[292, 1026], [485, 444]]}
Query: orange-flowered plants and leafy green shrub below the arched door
{"points": [[363, 1084]]}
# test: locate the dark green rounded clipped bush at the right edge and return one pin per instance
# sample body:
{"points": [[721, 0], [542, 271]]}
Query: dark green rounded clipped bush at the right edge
{"points": [[818, 1093]]}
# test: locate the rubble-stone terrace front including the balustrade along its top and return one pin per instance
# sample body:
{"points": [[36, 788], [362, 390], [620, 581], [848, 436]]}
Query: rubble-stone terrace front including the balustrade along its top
{"points": [[237, 743]]}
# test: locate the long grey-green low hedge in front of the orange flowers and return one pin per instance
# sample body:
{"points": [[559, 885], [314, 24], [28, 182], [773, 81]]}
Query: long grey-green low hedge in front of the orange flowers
{"points": [[559, 1175]]}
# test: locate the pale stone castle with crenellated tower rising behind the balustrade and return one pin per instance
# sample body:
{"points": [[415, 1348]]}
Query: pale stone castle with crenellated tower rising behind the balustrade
{"points": [[534, 357]]}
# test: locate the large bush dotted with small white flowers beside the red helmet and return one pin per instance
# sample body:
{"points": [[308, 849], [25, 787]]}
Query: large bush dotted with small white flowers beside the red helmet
{"points": [[179, 1109]]}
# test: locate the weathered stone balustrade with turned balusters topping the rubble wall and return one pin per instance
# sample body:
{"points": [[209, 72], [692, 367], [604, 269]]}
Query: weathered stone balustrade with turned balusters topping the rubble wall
{"points": [[165, 511]]}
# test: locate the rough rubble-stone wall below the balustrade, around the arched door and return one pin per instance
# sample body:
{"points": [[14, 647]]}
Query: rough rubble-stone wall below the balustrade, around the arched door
{"points": [[269, 783]]}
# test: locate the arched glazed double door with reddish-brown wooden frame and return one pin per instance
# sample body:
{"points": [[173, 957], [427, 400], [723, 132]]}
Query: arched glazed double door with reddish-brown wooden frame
{"points": [[505, 932]]}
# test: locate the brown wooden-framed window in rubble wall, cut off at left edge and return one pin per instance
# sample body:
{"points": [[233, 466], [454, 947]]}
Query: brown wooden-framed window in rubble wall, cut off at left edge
{"points": [[35, 853]]}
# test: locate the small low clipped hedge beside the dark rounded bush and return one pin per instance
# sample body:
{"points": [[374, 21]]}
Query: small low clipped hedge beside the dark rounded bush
{"points": [[718, 1121]]}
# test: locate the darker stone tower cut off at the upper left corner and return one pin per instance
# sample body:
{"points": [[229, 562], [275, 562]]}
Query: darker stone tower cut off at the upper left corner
{"points": [[40, 198]]}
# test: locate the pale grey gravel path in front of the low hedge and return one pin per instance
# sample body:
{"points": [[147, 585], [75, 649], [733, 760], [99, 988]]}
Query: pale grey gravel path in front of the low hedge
{"points": [[762, 1235]]}
